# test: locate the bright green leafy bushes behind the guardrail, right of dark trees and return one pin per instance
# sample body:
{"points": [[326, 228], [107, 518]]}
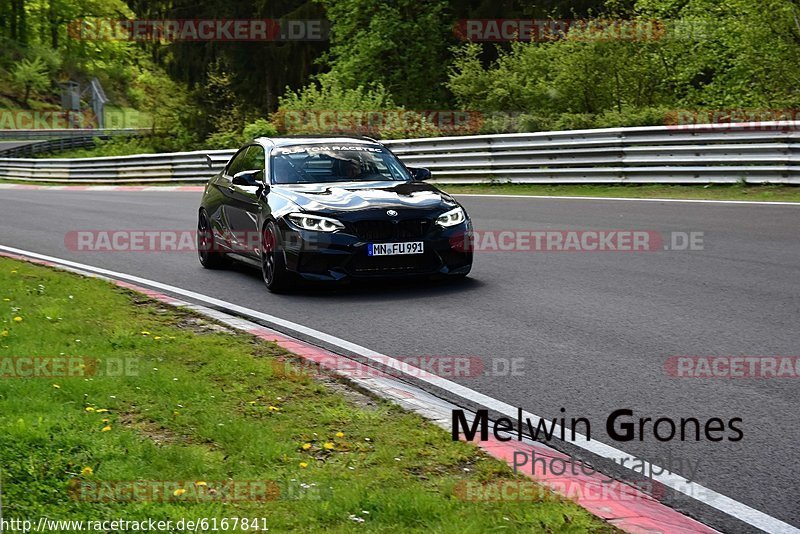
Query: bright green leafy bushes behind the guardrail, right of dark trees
{"points": [[733, 55]]}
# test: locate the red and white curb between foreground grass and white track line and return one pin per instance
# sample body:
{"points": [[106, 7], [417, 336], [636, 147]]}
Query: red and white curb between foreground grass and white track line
{"points": [[622, 505]]}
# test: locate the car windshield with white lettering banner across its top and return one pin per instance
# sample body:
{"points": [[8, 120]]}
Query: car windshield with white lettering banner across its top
{"points": [[321, 163]]}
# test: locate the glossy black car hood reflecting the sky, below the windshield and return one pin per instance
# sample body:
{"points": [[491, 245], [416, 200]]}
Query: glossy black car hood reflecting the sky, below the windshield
{"points": [[365, 195]]}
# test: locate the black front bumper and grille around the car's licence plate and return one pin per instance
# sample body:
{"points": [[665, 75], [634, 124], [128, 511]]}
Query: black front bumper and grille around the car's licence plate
{"points": [[340, 255]]}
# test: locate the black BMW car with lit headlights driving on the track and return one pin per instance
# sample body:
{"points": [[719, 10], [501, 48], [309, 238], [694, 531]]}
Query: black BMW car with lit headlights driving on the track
{"points": [[330, 209]]}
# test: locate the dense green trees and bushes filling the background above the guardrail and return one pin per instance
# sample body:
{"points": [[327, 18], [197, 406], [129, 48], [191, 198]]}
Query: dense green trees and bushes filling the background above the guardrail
{"points": [[399, 57]]}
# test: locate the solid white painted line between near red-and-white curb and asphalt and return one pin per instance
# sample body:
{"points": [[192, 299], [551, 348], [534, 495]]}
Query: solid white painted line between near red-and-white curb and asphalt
{"points": [[715, 500]]}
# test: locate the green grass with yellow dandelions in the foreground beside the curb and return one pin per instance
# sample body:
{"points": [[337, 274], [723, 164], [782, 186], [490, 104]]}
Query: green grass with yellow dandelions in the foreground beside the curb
{"points": [[205, 404]]}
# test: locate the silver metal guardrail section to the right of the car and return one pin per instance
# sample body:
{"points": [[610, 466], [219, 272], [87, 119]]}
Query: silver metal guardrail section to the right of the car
{"points": [[720, 153]]}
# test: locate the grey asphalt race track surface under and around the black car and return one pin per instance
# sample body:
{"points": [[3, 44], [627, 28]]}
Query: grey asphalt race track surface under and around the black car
{"points": [[594, 328]]}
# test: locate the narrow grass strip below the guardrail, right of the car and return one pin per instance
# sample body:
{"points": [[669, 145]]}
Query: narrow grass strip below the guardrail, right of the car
{"points": [[784, 193]]}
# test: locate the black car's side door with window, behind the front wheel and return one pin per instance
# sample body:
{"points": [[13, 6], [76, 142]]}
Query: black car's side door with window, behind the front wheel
{"points": [[245, 206]]}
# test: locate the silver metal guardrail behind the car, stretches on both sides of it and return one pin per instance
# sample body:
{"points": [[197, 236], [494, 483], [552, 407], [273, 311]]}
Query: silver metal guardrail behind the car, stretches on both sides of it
{"points": [[722, 153]]}
